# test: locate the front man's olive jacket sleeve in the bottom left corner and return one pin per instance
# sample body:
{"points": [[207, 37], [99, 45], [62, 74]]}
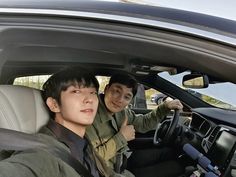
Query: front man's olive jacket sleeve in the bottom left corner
{"points": [[32, 163]]}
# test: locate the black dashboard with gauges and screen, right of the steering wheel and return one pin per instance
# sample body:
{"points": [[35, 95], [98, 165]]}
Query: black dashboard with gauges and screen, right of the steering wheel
{"points": [[218, 142]]}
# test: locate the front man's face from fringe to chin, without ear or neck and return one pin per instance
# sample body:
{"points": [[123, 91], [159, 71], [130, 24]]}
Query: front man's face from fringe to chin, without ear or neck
{"points": [[79, 105]]}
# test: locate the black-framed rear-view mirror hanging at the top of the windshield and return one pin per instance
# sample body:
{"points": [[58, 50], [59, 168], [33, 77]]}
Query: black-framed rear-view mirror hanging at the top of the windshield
{"points": [[195, 81]]}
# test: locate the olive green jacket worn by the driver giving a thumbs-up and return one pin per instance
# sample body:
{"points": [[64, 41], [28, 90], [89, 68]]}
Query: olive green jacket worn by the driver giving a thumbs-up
{"points": [[104, 133]]}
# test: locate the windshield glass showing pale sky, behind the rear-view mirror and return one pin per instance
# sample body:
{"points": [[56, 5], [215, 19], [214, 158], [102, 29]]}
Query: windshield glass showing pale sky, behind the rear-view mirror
{"points": [[222, 95]]}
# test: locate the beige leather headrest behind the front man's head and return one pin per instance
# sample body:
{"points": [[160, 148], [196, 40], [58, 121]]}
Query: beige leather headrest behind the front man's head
{"points": [[22, 109]]}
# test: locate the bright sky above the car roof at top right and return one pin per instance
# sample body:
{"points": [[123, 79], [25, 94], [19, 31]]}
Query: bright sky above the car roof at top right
{"points": [[220, 8]]}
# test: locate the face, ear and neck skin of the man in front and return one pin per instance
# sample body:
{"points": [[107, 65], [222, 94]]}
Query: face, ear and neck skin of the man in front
{"points": [[77, 109]]}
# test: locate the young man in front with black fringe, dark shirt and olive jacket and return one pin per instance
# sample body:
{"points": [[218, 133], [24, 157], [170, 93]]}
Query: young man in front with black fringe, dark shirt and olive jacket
{"points": [[71, 96]]}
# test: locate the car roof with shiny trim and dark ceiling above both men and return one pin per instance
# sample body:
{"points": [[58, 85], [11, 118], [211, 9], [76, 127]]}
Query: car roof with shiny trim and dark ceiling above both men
{"points": [[42, 36]]}
